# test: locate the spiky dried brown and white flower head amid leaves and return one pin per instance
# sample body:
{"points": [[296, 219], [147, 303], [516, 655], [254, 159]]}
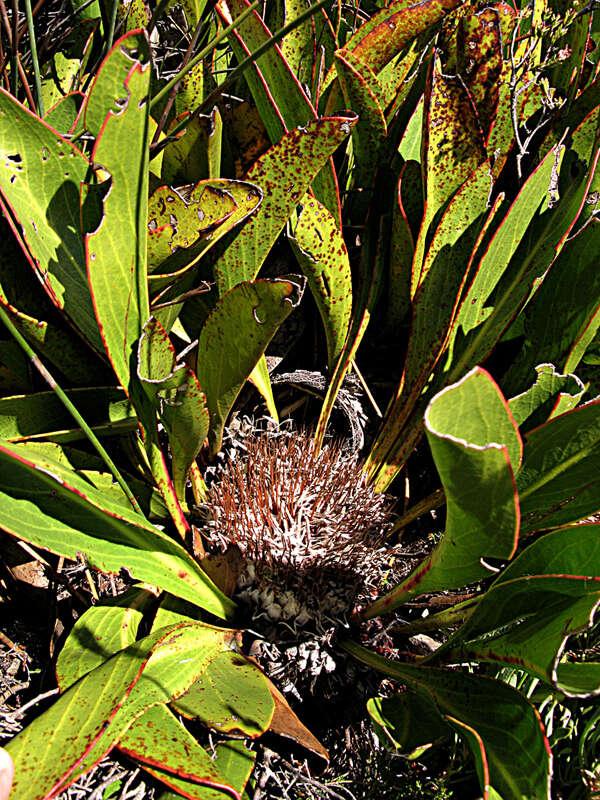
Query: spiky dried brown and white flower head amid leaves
{"points": [[307, 522]]}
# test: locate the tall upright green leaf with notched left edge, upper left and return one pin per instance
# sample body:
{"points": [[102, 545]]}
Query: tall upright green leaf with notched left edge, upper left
{"points": [[116, 250]]}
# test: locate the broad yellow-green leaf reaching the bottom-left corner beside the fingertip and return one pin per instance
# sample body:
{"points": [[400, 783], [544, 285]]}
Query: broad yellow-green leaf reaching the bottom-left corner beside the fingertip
{"points": [[48, 752]]}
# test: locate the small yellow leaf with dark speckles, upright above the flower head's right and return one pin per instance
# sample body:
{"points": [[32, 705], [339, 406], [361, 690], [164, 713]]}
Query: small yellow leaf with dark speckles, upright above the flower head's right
{"points": [[323, 258]]}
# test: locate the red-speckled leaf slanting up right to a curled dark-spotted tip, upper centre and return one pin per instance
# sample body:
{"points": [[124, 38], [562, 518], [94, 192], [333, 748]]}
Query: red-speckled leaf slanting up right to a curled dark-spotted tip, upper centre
{"points": [[284, 173]]}
